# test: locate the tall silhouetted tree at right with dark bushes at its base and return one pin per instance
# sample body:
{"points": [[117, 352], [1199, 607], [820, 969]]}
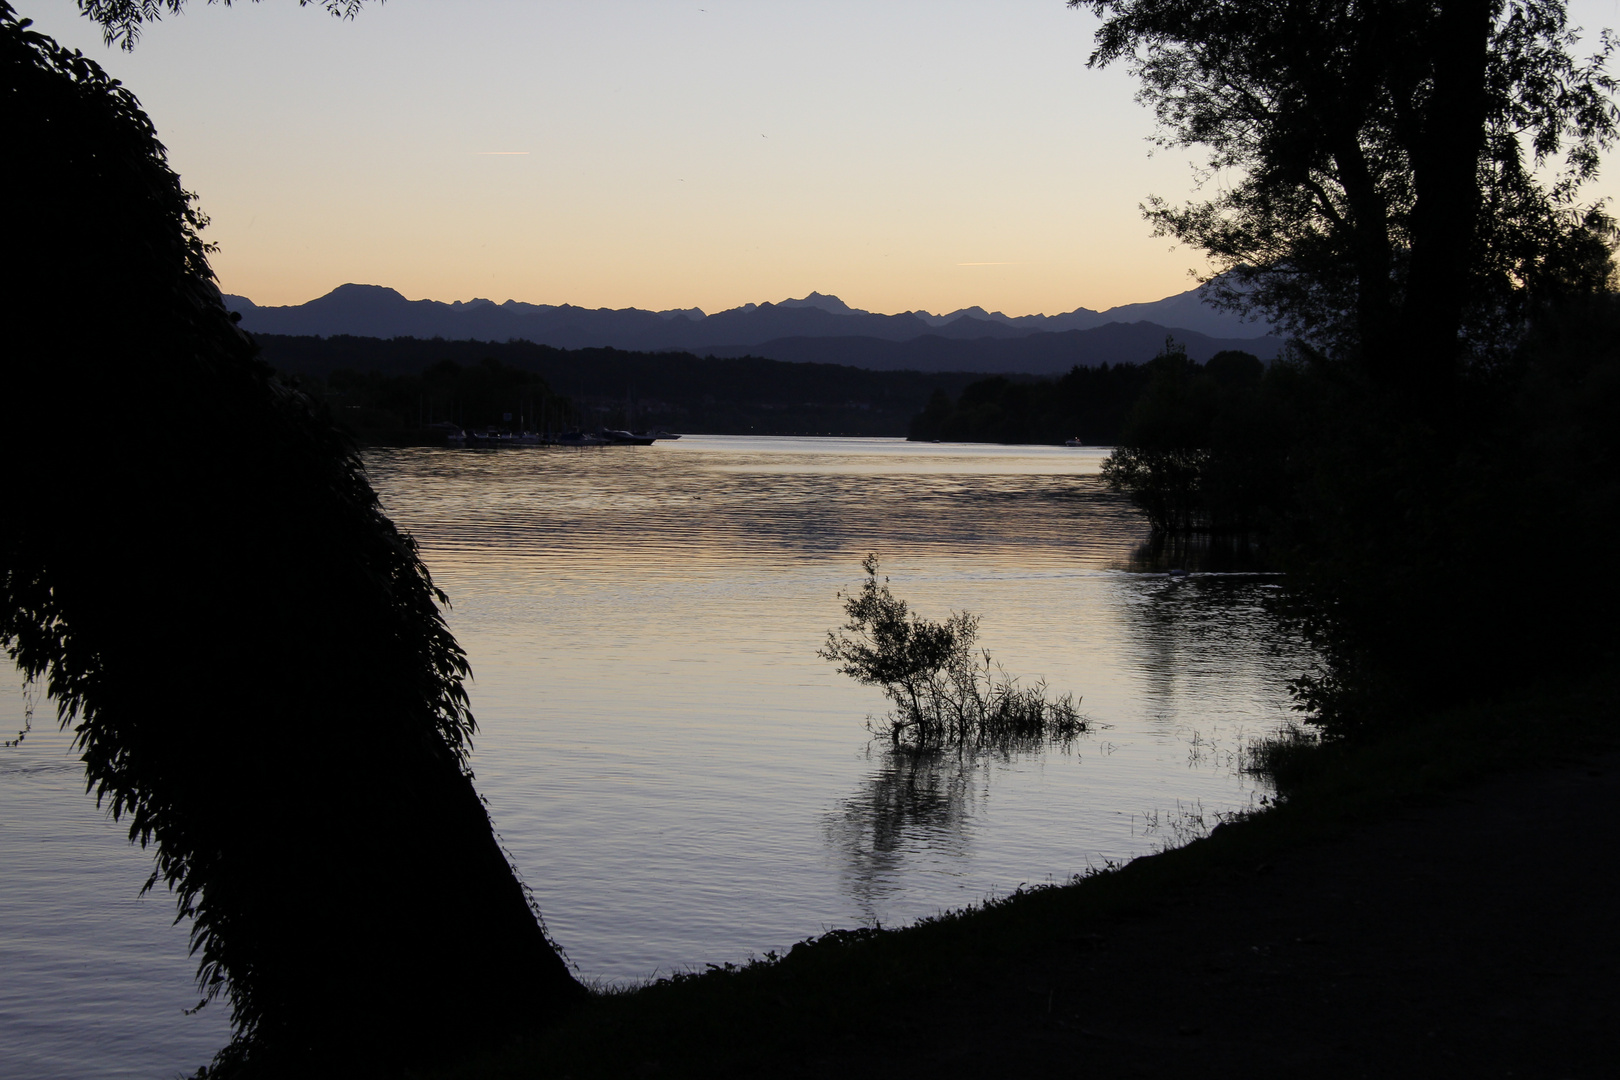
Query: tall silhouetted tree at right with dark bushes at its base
{"points": [[1384, 195]]}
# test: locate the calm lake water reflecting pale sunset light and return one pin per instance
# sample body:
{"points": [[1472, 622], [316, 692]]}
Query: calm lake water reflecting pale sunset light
{"points": [[675, 772]]}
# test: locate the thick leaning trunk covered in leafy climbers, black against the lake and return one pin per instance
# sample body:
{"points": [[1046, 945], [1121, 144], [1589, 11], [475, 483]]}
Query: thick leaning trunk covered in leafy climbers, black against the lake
{"points": [[262, 681]]}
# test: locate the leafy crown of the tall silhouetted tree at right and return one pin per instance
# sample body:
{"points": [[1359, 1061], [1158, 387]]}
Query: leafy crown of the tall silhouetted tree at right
{"points": [[1381, 164]]}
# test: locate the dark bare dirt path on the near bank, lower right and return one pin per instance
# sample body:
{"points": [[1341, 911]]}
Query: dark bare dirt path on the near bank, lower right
{"points": [[1477, 937]]}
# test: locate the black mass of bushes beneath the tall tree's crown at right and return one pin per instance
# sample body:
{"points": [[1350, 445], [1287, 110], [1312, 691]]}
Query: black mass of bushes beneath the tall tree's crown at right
{"points": [[1430, 558]]}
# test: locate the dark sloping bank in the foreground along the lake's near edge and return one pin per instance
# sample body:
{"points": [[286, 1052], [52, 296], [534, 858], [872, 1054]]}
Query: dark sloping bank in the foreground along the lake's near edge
{"points": [[1435, 903]]}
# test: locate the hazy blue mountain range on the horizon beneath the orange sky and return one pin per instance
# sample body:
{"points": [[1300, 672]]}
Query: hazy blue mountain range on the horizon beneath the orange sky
{"points": [[817, 328]]}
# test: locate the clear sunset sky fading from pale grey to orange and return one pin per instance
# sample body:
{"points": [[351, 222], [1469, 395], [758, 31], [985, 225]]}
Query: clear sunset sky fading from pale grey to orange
{"points": [[902, 155]]}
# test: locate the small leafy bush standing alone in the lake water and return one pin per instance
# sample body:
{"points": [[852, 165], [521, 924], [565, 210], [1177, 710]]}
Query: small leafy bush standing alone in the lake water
{"points": [[945, 692]]}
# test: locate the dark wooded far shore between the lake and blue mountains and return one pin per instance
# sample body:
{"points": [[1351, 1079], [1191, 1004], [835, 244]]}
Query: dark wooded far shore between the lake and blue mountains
{"points": [[388, 404]]}
